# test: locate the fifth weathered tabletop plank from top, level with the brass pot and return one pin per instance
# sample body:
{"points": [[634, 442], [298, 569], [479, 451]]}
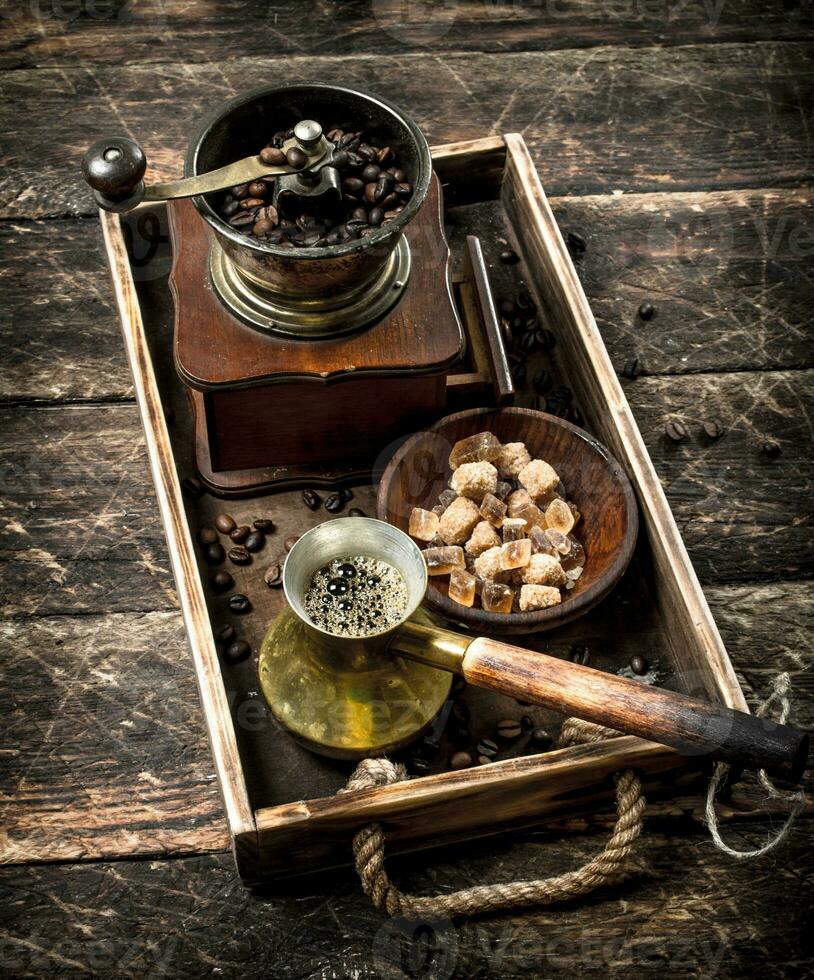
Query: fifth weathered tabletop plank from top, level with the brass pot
{"points": [[96, 706]]}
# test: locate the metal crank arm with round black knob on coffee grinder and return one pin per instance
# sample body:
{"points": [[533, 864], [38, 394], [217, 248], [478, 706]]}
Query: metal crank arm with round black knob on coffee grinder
{"points": [[115, 168]]}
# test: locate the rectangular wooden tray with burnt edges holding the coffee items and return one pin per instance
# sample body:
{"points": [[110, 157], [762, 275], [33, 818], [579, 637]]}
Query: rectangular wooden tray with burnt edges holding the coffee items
{"points": [[280, 802]]}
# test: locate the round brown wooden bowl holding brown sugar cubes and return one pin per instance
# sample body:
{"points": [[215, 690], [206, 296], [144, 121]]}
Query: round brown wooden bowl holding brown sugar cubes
{"points": [[595, 481]]}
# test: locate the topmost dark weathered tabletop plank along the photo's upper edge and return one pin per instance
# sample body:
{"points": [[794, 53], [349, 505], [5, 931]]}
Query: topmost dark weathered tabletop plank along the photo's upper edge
{"points": [[122, 33]]}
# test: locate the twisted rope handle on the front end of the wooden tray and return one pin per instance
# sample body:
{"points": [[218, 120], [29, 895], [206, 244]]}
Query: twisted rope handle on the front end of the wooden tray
{"points": [[606, 867]]}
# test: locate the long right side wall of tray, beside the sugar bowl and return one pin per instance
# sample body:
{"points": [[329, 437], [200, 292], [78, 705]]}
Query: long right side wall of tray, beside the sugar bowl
{"points": [[700, 654]]}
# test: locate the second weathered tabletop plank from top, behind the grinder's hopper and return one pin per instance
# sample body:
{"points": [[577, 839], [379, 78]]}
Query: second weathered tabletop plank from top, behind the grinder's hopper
{"points": [[622, 119]]}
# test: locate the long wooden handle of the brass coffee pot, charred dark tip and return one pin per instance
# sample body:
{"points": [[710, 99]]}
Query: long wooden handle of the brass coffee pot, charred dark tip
{"points": [[692, 727]]}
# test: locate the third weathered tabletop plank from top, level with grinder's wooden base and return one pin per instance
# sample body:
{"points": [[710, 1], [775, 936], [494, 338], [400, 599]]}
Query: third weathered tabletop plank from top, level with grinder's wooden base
{"points": [[727, 272]]}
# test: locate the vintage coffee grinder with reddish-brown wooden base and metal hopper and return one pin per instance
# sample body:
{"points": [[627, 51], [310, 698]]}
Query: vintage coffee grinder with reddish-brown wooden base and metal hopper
{"points": [[303, 363]]}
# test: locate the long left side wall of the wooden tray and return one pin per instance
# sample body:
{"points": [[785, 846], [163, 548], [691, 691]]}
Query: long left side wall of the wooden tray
{"points": [[228, 766]]}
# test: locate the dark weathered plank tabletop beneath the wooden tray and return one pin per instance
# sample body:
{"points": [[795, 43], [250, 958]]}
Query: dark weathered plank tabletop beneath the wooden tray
{"points": [[674, 138]]}
